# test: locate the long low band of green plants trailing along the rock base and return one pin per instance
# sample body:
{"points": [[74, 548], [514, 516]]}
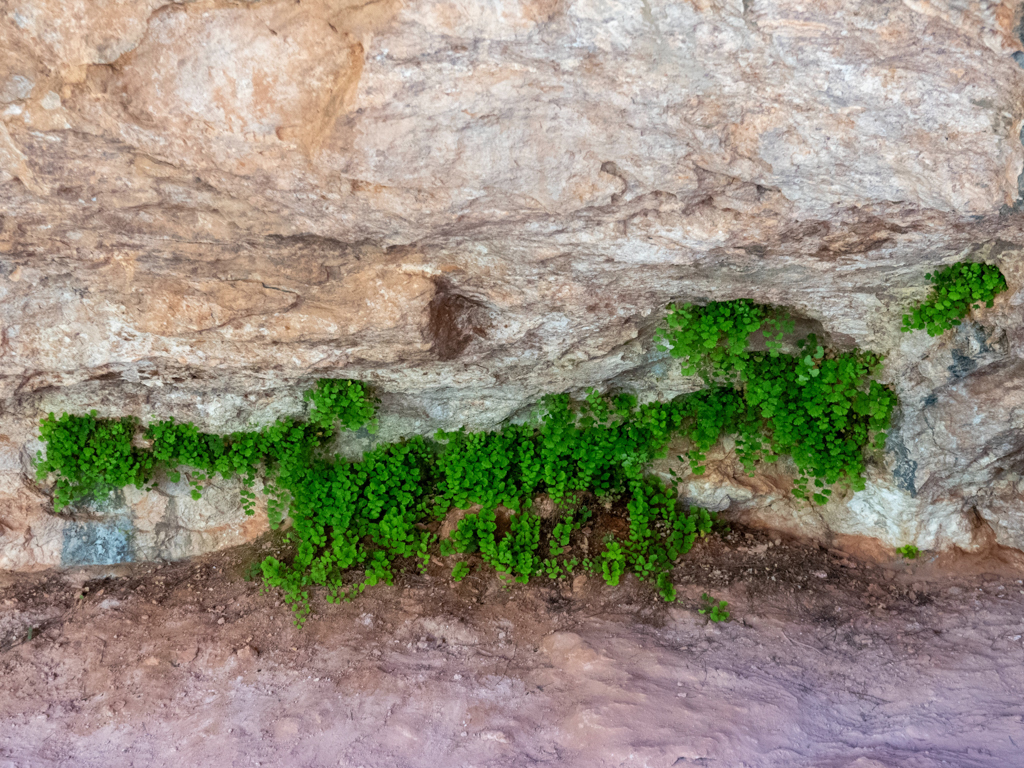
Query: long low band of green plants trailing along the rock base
{"points": [[365, 517]]}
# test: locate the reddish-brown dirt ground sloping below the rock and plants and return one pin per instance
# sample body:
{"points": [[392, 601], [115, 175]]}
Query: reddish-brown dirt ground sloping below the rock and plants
{"points": [[828, 662]]}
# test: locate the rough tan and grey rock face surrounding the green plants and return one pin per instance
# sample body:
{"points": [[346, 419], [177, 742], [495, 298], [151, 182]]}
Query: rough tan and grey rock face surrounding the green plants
{"points": [[204, 206]]}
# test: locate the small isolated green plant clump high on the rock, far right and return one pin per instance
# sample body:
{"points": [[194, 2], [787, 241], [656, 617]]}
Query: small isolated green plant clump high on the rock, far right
{"points": [[956, 291]]}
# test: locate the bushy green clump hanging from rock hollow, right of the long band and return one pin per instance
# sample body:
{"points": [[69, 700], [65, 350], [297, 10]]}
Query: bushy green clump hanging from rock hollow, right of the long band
{"points": [[822, 407]]}
